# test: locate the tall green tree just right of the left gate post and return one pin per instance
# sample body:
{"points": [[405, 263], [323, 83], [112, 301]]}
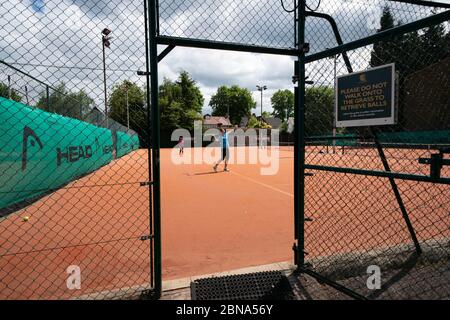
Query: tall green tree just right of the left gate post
{"points": [[181, 102]]}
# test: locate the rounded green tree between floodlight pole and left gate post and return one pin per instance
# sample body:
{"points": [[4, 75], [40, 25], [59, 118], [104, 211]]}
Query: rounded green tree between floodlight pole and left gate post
{"points": [[128, 90]]}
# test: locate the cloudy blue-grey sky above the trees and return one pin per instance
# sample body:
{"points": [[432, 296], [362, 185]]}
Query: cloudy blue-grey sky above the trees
{"points": [[59, 40]]}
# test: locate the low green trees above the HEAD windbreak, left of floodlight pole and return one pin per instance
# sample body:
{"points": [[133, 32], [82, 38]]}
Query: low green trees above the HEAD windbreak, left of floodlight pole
{"points": [[66, 103]]}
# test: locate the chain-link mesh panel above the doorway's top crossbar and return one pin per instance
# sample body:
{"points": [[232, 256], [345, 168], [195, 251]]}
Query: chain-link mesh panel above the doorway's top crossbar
{"points": [[262, 23]]}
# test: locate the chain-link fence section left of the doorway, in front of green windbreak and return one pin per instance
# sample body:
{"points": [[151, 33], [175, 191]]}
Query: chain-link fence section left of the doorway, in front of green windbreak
{"points": [[76, 208]]}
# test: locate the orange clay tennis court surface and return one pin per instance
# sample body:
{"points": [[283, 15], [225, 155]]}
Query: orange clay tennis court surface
{"points": [[211, 222]]}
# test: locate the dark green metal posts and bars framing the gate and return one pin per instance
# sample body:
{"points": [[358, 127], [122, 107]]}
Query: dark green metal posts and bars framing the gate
{"points": [[300, 167]]}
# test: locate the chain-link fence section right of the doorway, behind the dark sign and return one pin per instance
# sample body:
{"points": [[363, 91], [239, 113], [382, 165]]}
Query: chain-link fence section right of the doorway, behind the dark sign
{"points": [[359, 219]]}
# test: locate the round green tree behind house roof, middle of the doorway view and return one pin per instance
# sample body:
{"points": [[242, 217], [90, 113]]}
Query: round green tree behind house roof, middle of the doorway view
{"points": [[235, 100]]}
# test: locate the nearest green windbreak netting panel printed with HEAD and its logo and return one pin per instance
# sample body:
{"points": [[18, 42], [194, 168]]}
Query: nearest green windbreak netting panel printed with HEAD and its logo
{"points": [[40, 151]]}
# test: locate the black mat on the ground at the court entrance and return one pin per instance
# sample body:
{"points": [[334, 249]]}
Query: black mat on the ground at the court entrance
{"points": [[270, 285]]}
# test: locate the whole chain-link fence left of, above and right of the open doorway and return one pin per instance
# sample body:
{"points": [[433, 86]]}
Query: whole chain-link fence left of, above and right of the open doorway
{"points": [[76, 212]]}
